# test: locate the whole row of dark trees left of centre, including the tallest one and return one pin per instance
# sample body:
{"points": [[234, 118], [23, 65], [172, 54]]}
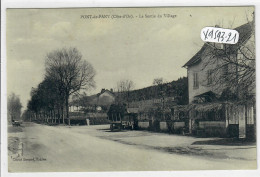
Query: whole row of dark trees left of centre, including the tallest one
{"points": [[66, 73]]}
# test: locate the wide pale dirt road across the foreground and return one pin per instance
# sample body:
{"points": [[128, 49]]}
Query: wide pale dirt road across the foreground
{"points": [[41, 148]]}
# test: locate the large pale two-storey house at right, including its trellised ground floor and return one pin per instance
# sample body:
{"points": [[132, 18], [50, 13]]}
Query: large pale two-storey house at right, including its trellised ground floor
{"points": [[221, 87]]}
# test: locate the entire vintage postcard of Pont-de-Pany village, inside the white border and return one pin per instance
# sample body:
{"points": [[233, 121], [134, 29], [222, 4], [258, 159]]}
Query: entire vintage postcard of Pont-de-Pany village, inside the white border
{"points": [[131, 89]]}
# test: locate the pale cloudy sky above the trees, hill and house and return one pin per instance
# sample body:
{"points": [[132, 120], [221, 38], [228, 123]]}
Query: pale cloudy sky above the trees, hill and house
{"points": [[139, 49]]}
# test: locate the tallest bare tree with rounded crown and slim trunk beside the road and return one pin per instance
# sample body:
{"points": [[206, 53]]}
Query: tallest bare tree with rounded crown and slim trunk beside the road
{"points": [[71, 72]]}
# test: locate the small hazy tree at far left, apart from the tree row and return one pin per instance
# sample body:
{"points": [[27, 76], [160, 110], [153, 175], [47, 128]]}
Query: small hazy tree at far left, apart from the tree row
{"points": [[14, 107]]}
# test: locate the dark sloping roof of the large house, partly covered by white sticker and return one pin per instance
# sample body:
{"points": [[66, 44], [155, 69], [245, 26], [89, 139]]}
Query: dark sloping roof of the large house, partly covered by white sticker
{"points": [[245, 32]]}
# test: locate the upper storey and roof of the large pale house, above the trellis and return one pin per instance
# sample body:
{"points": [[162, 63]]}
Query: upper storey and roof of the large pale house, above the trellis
{"points": [[209, 74]]}
